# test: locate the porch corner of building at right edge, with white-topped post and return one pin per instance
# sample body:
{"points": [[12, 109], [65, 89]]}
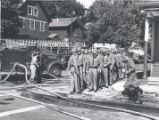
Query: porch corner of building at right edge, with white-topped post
{"points": [[151, 8]]}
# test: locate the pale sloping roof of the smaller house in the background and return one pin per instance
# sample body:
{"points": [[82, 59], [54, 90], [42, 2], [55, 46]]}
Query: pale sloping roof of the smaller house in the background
{"points": [[62, 22]]}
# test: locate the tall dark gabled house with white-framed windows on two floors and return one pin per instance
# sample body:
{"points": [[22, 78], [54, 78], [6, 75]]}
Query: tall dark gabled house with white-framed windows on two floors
{"points": [[35, 20]]}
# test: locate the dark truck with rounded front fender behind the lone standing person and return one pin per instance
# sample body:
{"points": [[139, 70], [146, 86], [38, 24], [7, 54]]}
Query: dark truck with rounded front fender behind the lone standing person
{"points": [[50, 62]]}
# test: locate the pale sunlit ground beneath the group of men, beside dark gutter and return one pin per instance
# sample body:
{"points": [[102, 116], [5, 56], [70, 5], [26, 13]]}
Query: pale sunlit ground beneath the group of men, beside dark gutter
{"points": [[109, 96]]}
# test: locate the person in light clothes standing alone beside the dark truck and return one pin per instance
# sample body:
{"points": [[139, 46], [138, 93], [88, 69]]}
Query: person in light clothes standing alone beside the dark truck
{"points": [[33, 66]]}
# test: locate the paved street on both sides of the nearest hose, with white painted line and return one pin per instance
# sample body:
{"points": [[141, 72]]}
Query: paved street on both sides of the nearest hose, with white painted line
{"points": [[18, 109]]}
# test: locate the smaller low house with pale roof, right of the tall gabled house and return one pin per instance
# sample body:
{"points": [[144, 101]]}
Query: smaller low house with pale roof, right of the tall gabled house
{"points": [[67, 28]]}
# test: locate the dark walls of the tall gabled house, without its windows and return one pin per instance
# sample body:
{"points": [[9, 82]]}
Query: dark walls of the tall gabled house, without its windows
{"points": [[25, 31]]}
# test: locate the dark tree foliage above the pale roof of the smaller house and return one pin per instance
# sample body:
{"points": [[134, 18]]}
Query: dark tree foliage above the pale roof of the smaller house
{"points": [[64, 8]]}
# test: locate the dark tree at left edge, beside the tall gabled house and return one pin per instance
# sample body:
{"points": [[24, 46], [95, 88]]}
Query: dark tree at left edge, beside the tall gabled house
{"points": [[10, 21]]}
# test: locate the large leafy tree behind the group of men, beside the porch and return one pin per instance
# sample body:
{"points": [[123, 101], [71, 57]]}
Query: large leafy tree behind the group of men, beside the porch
{"points": [[116, 22]]}
